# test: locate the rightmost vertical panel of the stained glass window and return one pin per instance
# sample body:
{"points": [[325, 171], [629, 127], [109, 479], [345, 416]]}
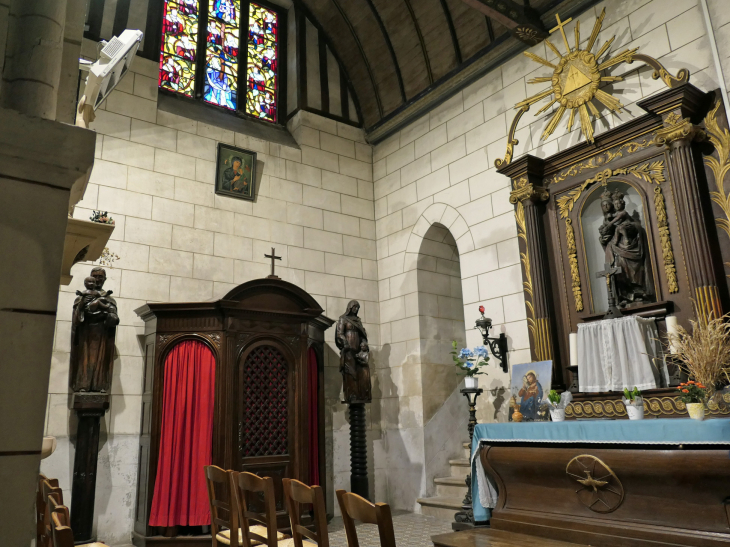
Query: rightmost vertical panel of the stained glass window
{"points": [[263, 58]]}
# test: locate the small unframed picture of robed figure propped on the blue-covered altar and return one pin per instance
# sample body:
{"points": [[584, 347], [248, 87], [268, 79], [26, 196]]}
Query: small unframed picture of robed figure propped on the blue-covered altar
{"points": [[529, 387]]}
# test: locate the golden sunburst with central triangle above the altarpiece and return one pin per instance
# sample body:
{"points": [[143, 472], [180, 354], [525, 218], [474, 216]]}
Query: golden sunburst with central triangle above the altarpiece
{"points": [[576, 79]]}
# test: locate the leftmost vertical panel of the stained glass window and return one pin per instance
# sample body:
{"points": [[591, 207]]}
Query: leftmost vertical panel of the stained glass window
{"points": [[179, 45]]}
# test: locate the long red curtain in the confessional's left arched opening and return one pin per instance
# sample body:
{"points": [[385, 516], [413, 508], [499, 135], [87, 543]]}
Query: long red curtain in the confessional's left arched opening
{"points": [[186, 439]]}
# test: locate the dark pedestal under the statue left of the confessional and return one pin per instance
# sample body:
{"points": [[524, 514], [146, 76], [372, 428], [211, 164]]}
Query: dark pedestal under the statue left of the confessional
{"points": [[90, 408]]}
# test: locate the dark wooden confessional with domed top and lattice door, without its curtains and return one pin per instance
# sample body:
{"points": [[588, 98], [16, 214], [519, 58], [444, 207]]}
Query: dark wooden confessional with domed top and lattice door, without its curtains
{"points": [[265, 314]]}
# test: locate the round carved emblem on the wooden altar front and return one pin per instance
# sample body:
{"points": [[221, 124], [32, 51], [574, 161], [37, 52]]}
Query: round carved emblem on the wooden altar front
{"points": [[601, 491]]}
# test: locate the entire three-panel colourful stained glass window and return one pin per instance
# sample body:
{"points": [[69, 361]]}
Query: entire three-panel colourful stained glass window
{"points": [[217, 25]]}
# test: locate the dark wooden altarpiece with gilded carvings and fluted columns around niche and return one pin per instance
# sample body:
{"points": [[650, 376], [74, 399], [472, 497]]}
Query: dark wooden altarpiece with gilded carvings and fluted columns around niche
{"points": [[675, 158]]}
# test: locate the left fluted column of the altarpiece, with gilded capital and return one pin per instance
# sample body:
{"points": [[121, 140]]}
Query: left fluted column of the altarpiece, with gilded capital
{"points": [[529, 197]]}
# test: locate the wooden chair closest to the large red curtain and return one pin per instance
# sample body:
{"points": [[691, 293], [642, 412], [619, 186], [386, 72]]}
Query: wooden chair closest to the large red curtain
{"points": [[223, 517]]}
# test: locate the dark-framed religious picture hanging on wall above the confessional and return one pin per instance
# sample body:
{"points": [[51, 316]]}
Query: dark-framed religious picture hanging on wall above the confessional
{"points": [[235, 173]]}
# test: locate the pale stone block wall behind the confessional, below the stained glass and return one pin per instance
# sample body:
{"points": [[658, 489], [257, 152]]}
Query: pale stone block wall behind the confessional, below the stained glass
{"points": [[178, 241]]}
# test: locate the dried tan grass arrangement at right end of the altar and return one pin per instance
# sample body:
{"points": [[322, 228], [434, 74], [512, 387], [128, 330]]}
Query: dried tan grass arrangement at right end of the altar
{"points": [[704, 354]]}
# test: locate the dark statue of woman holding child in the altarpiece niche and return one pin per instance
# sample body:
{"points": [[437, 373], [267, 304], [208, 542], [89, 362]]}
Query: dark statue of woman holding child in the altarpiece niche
{"points": [[624, 242]]}
